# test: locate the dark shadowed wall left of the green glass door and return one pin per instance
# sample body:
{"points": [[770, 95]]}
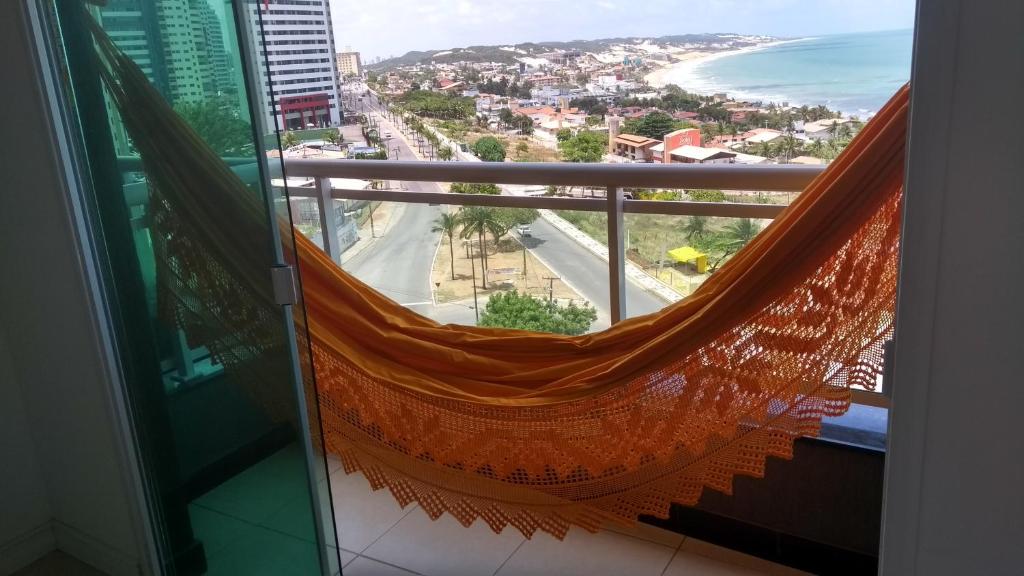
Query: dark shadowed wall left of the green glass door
{"points": [[53, 343]]}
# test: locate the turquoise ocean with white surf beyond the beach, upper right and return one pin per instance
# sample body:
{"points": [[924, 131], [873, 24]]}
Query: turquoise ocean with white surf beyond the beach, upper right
{"points": [[852, 73]]}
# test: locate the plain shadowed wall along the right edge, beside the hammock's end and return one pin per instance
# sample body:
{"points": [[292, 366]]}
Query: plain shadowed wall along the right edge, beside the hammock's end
{"points": [[955, 484]]}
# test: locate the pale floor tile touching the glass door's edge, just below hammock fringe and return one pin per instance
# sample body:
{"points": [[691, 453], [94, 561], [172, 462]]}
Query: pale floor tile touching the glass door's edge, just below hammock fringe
{"points": [[362, 515]]}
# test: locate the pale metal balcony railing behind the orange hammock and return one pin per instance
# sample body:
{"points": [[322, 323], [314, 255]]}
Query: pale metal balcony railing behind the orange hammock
{"points": [[611, 178]]}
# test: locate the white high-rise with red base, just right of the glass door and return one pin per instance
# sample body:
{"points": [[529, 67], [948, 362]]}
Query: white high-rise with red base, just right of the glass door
{"points": [[298, 42]]}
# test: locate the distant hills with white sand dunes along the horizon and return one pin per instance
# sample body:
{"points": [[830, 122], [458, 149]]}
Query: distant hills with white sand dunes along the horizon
{"points": [[510, 54]]}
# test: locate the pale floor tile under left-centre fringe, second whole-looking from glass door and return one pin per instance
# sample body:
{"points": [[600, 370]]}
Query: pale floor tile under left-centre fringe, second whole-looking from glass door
{"points": [[445, 548]]}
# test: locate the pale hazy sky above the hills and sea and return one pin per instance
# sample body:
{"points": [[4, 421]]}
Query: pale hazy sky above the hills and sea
{"points": [[389, 28]]}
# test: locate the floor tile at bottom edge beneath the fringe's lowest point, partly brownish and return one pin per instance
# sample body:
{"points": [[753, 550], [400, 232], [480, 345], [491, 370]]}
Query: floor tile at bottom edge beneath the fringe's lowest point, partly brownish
{"points": [[588, 555]]}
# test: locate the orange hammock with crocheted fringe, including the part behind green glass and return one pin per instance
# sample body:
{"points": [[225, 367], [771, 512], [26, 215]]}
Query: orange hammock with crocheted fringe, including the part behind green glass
{"points": [[544, 432]]}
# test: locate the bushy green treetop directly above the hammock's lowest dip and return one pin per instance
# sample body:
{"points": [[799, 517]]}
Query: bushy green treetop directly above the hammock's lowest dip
{"points": [[513, 310]]}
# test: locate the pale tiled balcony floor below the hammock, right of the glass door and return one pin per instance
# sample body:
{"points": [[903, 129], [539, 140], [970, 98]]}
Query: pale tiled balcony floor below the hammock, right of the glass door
{"points": [[378, 539]]}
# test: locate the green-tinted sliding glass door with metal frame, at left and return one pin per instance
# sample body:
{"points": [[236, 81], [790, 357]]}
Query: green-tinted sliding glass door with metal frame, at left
{"points": [[165, 103]]}
